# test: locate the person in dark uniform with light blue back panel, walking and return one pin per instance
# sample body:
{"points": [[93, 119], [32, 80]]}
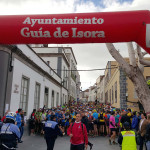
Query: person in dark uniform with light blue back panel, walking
{"points": [[51, 131]]}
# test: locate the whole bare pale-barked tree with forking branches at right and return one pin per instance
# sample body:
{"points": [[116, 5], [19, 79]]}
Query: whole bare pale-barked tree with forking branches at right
{"points": [[134, 71]]}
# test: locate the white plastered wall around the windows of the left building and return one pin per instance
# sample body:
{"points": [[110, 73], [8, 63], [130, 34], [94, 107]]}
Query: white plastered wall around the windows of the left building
{"points": [[20, 70]]}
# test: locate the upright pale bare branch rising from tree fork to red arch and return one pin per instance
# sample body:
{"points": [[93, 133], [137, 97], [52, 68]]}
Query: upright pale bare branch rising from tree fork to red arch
{"points": [[131, 54]]}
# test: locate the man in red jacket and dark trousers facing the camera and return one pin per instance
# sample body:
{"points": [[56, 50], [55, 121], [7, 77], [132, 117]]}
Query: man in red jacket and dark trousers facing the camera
{"points": [[78, 134]]}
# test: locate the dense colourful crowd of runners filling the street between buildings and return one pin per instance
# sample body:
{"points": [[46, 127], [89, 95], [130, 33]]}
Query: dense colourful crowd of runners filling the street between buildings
{"points": [[99, 119]]}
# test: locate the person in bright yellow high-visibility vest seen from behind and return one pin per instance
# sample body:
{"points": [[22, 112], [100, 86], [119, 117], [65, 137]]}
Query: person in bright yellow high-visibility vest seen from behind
{"points": [[127, 138]]}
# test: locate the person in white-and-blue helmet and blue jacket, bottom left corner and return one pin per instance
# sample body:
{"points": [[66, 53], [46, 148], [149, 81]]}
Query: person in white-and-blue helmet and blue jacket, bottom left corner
{"points": [[9, 133]]}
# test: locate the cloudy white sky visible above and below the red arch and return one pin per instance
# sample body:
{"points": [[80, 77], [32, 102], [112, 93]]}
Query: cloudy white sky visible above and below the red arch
{"points": [[89, 56]]}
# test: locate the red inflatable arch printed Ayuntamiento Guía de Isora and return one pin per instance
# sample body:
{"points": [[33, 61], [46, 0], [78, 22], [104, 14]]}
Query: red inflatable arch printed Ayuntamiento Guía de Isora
{"points": [[104, 27]]}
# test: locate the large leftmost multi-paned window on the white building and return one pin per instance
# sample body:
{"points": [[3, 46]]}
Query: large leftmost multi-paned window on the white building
{"points": [[24, 94]]}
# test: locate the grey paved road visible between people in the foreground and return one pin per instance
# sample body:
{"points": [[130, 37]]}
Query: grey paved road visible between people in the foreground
{"points": [[62, 143]]}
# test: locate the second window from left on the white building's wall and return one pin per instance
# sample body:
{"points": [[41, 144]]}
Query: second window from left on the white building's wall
{"points": [[37, 96]]}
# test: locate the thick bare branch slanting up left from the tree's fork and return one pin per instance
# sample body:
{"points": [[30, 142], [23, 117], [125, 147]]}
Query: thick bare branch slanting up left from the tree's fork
{"points": [[116, 55]]}
